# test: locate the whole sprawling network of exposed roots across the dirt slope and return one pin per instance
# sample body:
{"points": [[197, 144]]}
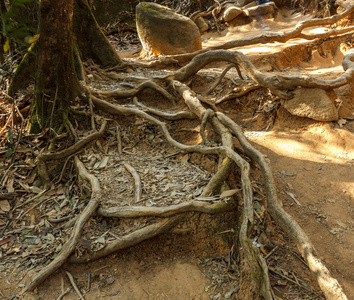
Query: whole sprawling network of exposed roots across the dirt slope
{"points": [[187, 104]]}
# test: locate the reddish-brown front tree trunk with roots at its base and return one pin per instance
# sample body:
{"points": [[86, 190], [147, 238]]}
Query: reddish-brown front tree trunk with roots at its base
{"points": [[56, 84]]}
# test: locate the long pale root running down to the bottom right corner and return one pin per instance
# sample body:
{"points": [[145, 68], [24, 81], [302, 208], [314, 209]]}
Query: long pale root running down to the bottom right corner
{"points": [[328, 285]]}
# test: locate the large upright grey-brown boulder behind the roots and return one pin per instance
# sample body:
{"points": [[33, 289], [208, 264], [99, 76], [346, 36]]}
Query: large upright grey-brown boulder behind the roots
{"points": [[162, 31]]}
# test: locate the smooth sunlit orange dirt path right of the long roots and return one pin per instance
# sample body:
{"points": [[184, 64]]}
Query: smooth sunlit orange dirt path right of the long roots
{"points": [[316, 168]]}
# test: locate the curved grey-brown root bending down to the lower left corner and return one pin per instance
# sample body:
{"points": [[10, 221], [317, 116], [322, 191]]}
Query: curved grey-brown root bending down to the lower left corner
{"points": [[69, 246]]}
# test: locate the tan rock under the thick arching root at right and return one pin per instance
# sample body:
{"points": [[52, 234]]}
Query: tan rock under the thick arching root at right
{"points": [[315, 104]]}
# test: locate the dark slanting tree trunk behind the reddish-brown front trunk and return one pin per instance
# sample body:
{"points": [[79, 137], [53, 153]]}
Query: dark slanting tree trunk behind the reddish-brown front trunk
{"points": [[91, 41]]}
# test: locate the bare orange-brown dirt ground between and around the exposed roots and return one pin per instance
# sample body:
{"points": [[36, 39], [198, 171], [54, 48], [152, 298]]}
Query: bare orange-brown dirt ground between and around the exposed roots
{"points": [[312, 161]]}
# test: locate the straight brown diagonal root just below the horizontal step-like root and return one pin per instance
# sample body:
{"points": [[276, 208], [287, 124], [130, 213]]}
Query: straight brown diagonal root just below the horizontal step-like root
{"points": [[129, 240]]}
